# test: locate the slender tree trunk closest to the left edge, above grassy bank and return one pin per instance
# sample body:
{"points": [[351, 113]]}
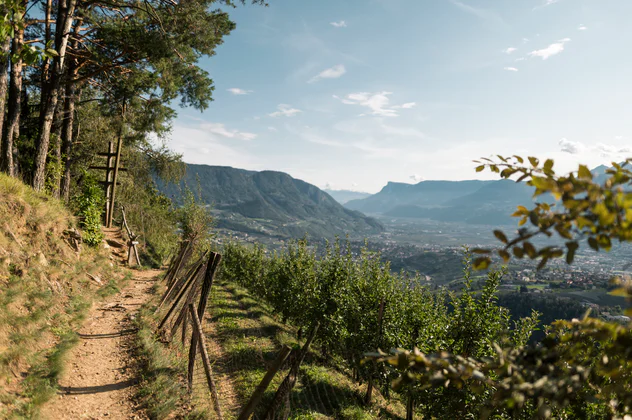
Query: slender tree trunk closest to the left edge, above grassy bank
{"points": [[12, 125]]}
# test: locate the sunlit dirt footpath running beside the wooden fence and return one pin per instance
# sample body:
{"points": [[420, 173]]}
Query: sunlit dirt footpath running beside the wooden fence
{"points": [[99, 380]]}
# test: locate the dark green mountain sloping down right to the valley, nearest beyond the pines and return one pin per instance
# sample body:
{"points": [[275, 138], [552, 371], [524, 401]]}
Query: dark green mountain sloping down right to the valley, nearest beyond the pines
{"points": [[271, 203]]}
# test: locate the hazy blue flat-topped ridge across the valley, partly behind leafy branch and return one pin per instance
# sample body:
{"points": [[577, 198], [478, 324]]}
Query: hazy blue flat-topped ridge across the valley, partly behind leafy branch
{"points": [[473, 201]]}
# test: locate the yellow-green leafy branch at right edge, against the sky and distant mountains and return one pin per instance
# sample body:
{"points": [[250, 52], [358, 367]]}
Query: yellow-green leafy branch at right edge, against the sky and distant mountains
{"points": [[584, 209]]}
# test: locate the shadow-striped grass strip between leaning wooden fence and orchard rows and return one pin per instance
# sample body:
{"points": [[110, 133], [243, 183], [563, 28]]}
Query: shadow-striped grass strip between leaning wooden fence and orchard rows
{"points": [[248, 339]]}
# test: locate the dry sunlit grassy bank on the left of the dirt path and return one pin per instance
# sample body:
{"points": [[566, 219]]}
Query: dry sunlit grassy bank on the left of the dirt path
{"points": [[46, 290]]}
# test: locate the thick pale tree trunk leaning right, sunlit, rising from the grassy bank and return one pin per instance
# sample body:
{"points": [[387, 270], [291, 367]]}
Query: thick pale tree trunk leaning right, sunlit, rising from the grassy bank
{"points": [[65, 15]]}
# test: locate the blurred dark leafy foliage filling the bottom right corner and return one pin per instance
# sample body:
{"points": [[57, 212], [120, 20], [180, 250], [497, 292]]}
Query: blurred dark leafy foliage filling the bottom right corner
{"points": [[581, 365]]}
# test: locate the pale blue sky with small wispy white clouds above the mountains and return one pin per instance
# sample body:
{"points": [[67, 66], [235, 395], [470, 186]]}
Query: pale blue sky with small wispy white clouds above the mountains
{"points": [[352, 94]]}
